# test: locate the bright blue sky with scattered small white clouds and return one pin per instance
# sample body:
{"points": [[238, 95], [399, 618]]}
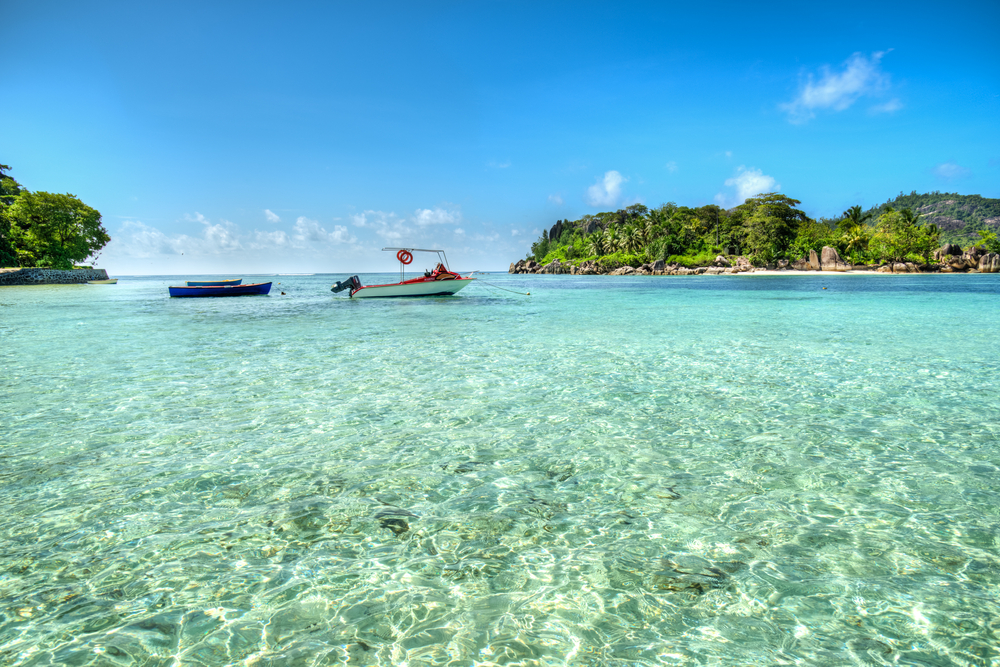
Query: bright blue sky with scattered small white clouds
{"points": [[304, 137]]}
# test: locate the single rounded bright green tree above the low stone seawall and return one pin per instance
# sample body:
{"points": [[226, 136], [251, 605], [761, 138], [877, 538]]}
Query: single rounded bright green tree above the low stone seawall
{"points": [[54, 230]]}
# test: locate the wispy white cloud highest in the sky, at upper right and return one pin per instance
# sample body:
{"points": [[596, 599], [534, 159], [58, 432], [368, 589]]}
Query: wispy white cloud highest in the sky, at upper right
{"points": [[838, 90]]}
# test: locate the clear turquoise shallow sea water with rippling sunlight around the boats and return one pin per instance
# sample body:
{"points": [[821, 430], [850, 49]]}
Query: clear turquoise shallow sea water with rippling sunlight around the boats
{"points": [[733, 470]]}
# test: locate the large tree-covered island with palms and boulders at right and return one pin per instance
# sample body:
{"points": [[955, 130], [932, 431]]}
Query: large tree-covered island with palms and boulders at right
{"points": [[935, 232]]}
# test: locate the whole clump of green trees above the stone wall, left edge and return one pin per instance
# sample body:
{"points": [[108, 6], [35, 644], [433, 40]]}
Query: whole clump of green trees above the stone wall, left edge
{"points": [[46, 230]]}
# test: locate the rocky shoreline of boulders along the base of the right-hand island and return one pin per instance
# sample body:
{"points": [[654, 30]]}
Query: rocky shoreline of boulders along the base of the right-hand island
{"points": [[948, 259]]}
